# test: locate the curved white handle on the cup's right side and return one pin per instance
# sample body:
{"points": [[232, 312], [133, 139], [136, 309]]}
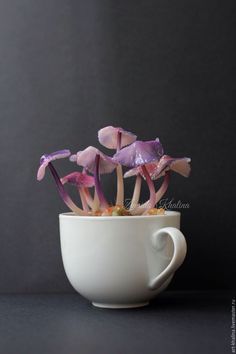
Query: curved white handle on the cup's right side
{"points": [[180, 249]]}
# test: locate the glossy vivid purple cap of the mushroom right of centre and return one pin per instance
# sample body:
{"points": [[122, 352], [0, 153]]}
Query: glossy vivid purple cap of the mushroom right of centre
{"points": [[139, 153]]}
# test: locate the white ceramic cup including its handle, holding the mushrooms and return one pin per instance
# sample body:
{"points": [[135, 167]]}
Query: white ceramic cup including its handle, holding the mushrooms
{"points": [[121, 261]]}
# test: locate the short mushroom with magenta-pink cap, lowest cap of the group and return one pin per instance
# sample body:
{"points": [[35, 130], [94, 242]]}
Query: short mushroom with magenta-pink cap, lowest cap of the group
{"points": [[82, 181]]}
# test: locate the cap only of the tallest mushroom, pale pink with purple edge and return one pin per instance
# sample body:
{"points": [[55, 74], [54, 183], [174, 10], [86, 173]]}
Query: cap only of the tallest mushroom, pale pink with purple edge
{"points": [[108, 137]]}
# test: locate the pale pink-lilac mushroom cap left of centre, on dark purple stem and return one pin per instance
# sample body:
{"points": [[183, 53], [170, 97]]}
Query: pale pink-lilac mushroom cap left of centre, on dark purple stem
{"points": [[86, 158]]}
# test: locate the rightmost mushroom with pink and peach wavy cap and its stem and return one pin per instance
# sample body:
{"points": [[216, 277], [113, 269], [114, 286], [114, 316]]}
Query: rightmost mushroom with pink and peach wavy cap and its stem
{"points": [[163, 168]]}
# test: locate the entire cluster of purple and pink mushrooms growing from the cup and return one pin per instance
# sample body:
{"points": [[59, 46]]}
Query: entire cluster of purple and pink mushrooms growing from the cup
{"points": [[145, 160]]}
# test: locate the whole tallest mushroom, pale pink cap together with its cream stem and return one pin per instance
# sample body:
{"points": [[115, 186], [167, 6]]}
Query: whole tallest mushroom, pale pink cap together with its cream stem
{"points": [[116, 138]]}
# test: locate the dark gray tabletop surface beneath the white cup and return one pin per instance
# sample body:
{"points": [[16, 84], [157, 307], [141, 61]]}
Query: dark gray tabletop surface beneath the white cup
{"points": [[180, 323]]}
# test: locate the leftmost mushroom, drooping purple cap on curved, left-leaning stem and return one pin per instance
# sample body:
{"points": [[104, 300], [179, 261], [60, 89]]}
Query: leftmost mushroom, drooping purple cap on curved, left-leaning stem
{"points": [[46, 161]]}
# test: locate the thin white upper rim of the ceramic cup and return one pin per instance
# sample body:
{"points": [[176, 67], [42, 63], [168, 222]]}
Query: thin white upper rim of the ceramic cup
{"points": [[168, 213]]}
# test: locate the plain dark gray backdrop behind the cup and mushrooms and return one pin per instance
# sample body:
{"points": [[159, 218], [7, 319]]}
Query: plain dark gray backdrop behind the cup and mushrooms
{"points": [[157, 68]]}
